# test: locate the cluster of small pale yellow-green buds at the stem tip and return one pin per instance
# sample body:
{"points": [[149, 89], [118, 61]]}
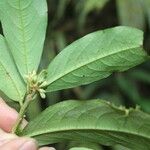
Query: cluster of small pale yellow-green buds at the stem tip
{"points": [[36, 82]]}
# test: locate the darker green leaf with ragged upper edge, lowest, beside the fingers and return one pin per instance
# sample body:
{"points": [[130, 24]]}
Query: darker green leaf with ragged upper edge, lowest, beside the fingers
{"points": [[91, 121]]}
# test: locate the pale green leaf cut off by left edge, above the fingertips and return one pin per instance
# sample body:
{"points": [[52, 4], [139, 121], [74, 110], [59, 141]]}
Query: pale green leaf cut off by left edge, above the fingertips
{"points": [[11, 83]]}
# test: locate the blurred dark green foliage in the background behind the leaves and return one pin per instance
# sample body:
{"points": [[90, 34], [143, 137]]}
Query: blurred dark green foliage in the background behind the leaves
{"points": [[72, 19]]}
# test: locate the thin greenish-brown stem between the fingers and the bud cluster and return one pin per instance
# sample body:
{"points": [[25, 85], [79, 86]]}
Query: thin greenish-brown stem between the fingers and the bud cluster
{"points": [[22, 112]]}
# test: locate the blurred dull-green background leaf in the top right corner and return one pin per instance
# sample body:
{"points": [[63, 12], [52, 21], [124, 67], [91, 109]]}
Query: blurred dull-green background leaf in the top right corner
{"points": [[131, 13]]}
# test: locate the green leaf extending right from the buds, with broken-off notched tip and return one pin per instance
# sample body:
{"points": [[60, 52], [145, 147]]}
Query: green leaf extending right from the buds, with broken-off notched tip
{"points": [[96, 56]]}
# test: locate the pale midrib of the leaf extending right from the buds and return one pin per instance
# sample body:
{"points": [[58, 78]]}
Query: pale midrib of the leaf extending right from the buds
{"points": [[74, 69]]}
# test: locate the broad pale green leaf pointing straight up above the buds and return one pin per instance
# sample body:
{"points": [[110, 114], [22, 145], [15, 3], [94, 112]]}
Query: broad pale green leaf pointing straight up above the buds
{"points": [[24, 25]]}
